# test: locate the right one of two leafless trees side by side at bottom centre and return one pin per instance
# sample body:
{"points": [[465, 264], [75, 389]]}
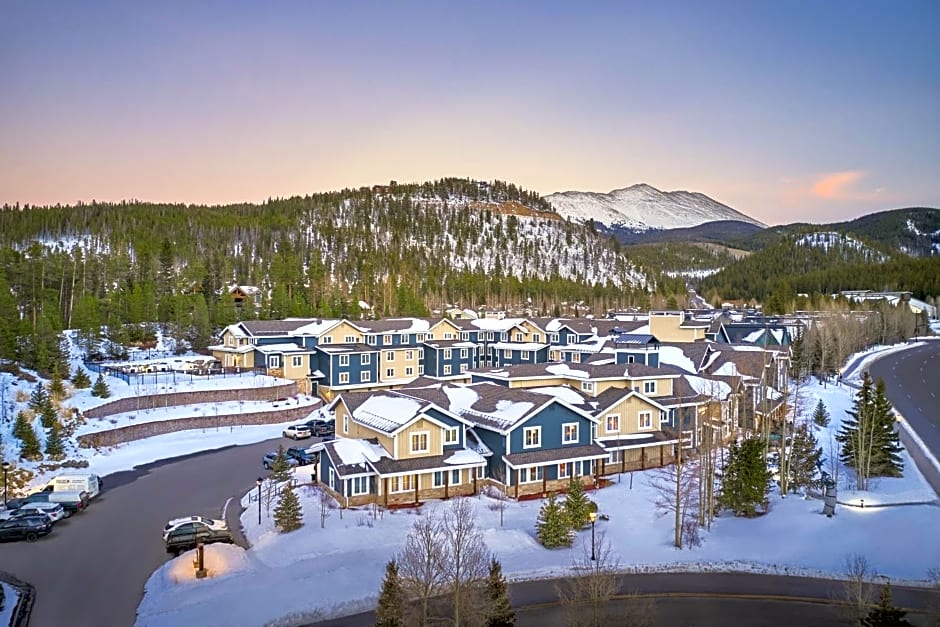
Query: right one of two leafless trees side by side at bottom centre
{"points": [[465, 559]]}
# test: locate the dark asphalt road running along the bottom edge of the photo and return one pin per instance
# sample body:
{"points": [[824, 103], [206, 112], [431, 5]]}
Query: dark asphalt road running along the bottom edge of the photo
{"points": [[704, 599]]}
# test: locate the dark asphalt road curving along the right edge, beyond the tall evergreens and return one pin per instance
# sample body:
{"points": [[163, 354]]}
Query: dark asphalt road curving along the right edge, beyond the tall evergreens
{"points": [[912, 383]]}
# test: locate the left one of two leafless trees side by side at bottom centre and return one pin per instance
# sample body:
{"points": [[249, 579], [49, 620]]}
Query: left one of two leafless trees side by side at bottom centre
{"points": [[419, 565]]}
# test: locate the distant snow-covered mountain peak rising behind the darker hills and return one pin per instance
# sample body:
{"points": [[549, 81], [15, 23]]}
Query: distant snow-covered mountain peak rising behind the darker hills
{"points": [[643, 207]]}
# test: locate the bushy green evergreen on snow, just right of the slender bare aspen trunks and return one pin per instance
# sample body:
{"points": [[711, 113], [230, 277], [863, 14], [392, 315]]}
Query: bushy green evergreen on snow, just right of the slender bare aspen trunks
{"points": [[746, 479]]}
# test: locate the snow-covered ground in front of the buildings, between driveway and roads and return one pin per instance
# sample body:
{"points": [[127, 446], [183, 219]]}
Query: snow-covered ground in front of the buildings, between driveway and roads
{"points": [[320, 572]]}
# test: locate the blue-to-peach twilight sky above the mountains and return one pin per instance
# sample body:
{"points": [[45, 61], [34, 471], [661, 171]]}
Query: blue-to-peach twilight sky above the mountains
{"points": [[786, 111]]}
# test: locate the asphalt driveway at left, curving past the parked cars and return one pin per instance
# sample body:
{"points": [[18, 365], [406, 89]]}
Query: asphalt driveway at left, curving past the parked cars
{"points": [[91, 570]]}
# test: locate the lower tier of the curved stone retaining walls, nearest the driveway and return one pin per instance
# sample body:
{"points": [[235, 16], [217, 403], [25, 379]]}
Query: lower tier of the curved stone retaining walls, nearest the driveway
{"points": [[129, 433]]}
